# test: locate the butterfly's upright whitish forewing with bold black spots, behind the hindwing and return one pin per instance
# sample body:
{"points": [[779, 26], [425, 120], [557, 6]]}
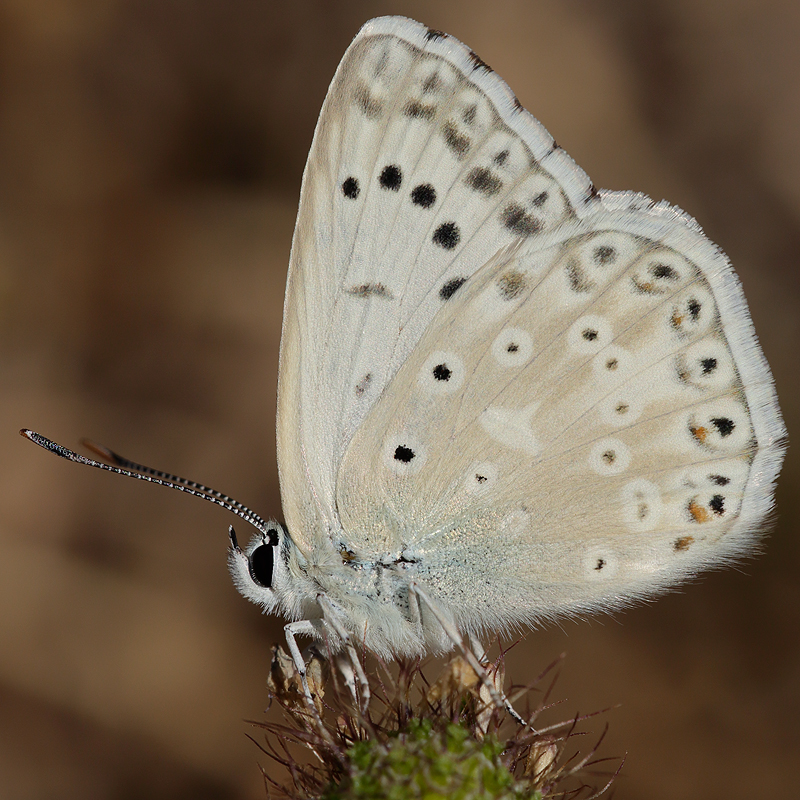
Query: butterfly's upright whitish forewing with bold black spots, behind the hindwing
{"points": [[422, 167]]}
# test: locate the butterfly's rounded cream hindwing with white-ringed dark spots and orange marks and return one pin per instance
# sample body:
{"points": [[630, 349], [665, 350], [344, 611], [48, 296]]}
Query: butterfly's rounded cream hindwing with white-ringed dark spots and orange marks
{"points": [[574, 431]]}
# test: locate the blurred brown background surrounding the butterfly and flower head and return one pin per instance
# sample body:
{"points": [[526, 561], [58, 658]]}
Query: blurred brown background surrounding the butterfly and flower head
{"points": [[150, 161]]}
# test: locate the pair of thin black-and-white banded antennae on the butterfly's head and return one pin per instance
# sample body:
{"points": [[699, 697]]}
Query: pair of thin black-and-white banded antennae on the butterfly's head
{"points": [[123, 466]]}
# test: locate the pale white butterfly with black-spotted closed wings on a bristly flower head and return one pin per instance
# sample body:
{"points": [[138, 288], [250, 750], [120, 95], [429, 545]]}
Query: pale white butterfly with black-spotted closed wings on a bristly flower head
{"points": [[505, 396]]}
